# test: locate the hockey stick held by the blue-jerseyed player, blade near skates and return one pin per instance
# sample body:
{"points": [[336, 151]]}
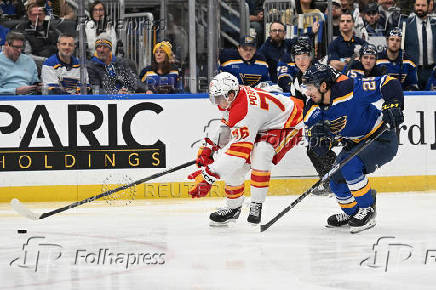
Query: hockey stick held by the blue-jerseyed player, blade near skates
{"points": [[326, 177]]}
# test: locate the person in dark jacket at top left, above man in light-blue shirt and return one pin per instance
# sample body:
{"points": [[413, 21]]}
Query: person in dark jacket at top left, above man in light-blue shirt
{"points": [[41, 37]]}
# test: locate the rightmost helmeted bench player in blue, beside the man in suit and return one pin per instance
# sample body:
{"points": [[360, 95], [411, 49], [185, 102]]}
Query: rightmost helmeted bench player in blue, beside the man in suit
{"points": [[397, 62]]}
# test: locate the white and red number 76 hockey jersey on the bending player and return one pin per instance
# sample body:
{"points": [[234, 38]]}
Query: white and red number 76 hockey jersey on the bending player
{"points": [[253, 112]]}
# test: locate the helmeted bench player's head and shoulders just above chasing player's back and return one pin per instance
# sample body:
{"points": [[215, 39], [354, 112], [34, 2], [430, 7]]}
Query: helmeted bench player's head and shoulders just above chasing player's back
{"points": [[365, 66]]}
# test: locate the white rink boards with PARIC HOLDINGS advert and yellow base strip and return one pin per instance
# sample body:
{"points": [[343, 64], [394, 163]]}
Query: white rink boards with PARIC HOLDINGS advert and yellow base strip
{"points": [[55, 148]]}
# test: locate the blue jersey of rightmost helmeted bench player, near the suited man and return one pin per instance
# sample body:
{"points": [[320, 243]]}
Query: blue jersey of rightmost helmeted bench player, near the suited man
{"points": [[401, 68]]}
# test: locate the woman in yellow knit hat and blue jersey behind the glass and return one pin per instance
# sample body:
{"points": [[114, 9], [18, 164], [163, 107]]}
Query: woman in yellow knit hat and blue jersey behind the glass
{"points": [[162, 76]]}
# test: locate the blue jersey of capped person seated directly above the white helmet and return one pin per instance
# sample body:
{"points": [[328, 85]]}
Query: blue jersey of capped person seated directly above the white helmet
{"points": [[249, 73]]}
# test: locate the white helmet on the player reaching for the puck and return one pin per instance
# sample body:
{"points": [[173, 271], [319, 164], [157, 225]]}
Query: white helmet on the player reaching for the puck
{"points": [[219, 88]]}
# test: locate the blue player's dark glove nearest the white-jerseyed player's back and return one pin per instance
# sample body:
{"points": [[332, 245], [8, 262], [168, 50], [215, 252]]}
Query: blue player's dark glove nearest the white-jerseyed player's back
{"points": [[320, 138]]}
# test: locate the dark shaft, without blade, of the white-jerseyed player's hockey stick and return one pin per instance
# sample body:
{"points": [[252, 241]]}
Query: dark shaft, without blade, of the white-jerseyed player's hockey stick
{"points": [[112, 191]]}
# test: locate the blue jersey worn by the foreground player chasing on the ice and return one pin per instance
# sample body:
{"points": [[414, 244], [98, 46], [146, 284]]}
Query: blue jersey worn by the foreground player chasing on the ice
{"points": [[351, 113]]}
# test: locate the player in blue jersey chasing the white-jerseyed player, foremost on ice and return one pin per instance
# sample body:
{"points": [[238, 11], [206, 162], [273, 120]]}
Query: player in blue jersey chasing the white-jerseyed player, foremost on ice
{"points": [[342, 108]]}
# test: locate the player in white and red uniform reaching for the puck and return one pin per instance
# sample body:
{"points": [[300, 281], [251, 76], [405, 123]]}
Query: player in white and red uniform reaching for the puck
{"points": [[260, 128]]}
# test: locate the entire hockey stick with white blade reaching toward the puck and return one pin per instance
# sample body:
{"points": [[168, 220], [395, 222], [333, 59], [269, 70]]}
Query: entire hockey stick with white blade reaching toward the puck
{"points": [[24, 211]]}
